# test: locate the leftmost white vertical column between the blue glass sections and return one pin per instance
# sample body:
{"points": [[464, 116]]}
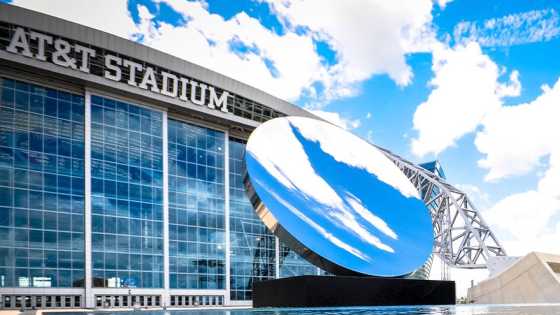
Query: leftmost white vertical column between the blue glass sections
{"points": [[89, 301]]}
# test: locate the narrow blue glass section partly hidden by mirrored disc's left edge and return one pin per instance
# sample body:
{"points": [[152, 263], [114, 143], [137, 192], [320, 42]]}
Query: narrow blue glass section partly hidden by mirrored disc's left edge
{"points": [[252, 245]]}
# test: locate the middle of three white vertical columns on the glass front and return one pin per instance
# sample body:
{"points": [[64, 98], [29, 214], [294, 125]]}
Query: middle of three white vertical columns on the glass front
{"points": [[165, 297]]}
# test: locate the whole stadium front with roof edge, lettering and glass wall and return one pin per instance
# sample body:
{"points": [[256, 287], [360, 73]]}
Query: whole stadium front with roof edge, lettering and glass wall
{"points": [[121, 174]]}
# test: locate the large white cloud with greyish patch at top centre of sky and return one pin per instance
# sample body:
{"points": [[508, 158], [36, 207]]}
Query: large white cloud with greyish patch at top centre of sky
{"points": [[370, 38]]}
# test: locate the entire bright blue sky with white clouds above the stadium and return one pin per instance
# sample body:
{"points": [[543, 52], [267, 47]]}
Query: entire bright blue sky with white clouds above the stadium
{"points": [[469, 82]]}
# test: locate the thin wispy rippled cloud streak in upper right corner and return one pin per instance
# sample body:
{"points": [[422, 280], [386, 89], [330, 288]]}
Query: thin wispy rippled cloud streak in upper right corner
{"points": [[515, 29]]}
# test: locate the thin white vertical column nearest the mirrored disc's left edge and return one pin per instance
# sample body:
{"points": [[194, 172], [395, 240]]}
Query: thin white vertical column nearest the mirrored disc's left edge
{"points": [[227, 250]]}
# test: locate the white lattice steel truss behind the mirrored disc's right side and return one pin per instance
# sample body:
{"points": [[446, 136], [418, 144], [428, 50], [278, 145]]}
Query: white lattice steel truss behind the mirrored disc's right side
{"points": [[461, 236]]}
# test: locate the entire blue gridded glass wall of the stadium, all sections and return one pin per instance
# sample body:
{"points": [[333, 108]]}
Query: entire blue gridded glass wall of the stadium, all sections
{"points": [[42, 199]]}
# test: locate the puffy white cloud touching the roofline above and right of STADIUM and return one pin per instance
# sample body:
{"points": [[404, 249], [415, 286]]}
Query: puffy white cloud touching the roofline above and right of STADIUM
{"points": [[284, 65]]}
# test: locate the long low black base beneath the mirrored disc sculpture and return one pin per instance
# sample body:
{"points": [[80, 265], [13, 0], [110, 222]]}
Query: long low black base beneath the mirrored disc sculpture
{"points": [[321, 291]]}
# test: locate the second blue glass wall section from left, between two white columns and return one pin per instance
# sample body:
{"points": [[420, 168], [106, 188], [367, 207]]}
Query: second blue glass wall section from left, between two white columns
{"points": [[127, 195]]}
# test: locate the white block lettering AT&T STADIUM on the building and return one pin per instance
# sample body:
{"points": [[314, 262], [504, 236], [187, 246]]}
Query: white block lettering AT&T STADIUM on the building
{"points": [[171, 86]]}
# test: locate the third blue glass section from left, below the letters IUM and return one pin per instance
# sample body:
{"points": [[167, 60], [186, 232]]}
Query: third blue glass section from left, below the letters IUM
{"points": [[196, 207]]}
